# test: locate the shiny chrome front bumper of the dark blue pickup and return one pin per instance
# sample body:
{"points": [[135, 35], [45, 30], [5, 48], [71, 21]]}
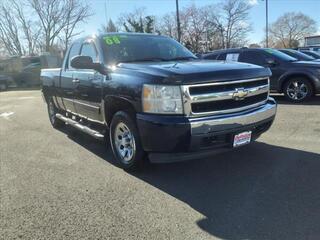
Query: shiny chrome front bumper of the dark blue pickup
{"points": [[225, 122]]}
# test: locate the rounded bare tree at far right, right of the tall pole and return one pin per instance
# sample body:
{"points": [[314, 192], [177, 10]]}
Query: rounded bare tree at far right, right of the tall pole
{"points": [[290, 29]]}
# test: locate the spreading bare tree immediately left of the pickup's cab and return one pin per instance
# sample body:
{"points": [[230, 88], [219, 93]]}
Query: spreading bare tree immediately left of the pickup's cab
{"points": [[59, 17]]}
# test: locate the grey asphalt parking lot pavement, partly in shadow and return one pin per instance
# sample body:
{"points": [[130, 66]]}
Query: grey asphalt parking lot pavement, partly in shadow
{"points": [[63, 184]]}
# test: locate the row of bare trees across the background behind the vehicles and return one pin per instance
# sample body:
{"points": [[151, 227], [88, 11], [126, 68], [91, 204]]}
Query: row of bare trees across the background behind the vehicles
{"points": [[28, 27]]}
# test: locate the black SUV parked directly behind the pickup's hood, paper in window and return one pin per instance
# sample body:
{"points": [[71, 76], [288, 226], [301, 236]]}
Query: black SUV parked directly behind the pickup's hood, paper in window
{"points": [[298, 80]]}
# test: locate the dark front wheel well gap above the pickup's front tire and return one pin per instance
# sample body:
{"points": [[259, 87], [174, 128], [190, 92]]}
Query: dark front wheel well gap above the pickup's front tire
{"points": [[114, 104]]}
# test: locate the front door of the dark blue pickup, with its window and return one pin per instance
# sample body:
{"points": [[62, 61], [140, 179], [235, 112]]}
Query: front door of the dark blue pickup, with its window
{"points": [[88, 91]]}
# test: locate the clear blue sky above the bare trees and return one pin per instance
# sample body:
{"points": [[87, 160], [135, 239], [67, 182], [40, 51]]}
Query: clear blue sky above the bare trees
{"points": [[160, 7]]}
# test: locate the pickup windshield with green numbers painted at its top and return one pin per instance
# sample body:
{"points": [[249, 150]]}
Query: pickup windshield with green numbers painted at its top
{"points": [[134, 48]]}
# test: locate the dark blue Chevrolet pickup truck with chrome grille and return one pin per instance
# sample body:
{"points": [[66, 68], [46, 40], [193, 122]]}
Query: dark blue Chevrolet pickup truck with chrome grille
{"points": [[152, 97]]}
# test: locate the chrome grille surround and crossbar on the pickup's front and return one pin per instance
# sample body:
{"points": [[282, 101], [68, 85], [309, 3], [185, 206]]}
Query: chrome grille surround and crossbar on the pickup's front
{"points": [[188, 99]]}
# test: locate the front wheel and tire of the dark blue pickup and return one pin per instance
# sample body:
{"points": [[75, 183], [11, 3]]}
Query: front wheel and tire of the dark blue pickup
{"points": [[125, 141]]}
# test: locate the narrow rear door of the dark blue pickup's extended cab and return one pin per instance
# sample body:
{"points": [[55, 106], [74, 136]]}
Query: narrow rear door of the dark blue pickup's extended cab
{"points": [[67, 89]]}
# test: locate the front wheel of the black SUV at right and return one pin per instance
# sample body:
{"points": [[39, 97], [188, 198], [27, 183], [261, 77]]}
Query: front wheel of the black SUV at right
{"points": [[298, 89]]}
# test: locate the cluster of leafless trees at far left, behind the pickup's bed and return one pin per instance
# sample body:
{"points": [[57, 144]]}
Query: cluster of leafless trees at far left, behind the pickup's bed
{"points": [[28, 27]]}
